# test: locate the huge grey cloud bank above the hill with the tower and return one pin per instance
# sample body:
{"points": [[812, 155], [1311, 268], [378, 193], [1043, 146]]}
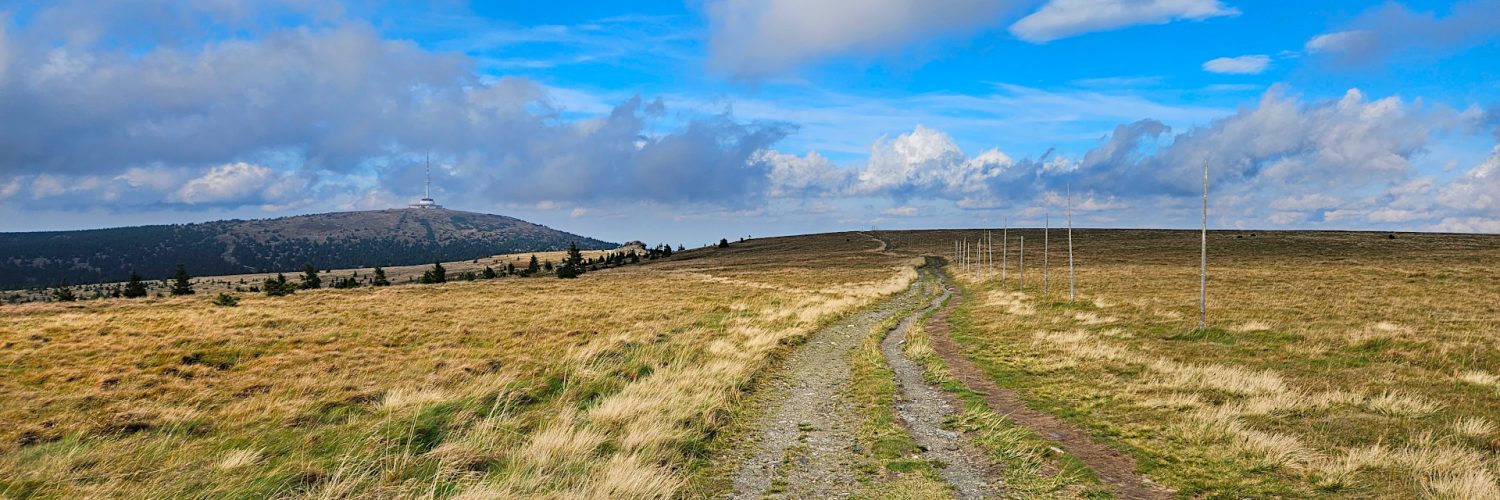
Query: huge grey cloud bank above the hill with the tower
{"points": [[349, 104]]}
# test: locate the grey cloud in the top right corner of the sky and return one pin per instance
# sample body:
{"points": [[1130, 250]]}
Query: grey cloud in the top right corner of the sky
{"points": [[1394, 29]]}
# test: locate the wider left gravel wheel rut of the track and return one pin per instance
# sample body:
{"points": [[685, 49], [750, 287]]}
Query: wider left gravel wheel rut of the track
{"points": [[806, 442]]}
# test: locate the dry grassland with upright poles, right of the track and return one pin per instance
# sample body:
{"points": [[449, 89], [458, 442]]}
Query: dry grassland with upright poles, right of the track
{"points": [[1336, 364]]}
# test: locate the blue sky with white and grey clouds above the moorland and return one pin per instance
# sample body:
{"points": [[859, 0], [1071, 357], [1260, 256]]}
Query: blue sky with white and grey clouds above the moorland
{"points": [[689, 122]]}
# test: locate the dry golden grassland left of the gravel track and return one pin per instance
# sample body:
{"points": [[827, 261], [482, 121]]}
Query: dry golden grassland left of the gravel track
{"points": [[604, 387]]}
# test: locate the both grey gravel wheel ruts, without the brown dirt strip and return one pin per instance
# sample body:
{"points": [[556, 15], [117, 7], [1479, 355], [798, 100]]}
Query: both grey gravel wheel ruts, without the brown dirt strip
{"points": [[808, 441]]}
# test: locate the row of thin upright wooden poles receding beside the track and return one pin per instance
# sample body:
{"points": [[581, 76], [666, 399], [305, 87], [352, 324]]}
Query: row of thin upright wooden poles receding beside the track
{"points": [[980, 258]]}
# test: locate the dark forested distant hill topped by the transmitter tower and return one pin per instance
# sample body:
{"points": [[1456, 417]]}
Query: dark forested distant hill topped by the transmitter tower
{"points": [[328, 241]]}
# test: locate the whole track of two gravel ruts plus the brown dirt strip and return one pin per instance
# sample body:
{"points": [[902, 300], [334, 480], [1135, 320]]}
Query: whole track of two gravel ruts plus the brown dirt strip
{"points": [[806, 444]]}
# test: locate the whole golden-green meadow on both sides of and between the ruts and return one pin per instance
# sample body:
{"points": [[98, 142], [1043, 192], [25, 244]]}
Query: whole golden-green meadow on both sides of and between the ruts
{"points": [[1334, 366]]}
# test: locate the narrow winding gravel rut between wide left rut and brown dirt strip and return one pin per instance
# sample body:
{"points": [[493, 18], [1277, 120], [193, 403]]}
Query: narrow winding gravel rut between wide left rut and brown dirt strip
{"points": [[923, 409]]}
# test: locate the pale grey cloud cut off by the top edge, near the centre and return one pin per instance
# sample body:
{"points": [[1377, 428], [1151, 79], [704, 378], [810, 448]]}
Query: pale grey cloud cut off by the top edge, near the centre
{"points": [[758, 38]]}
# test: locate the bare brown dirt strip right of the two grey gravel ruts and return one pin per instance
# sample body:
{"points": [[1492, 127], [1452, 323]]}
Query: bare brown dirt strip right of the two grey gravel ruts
{"points": [[1114, 468]]}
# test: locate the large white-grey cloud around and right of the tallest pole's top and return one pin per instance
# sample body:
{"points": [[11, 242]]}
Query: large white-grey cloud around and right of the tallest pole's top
{"points": [[1282, 140]]}
